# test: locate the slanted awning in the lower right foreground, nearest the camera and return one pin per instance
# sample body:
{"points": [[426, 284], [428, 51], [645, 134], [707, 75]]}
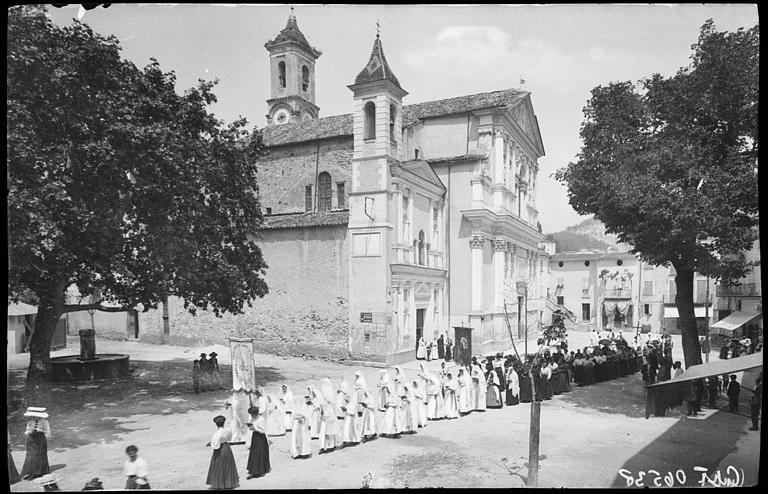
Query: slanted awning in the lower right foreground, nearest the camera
{"points": [[666, 394]]}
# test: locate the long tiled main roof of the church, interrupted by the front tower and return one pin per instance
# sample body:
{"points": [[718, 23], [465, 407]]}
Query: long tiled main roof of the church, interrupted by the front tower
{"points": [[341, 125]]}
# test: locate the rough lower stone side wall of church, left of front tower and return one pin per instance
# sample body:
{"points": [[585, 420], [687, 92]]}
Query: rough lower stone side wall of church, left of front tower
{"points": [[304, 313]]}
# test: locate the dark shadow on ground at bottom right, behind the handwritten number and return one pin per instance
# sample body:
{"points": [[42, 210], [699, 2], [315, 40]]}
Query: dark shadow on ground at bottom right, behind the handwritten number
{"points": [[689, 443]]}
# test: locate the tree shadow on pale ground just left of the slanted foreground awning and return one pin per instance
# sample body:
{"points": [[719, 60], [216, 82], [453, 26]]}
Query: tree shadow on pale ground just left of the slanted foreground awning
{"points": [[624, 396]]}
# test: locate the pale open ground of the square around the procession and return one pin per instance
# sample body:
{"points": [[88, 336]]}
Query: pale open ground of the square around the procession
{"points": [[594, 436]]}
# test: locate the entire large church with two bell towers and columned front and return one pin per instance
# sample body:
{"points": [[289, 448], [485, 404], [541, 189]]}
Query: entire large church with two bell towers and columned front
{"points": [[393, 222]]}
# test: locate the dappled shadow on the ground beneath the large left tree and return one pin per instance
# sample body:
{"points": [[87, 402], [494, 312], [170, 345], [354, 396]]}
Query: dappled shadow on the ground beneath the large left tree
{"points": [[81, 412]]}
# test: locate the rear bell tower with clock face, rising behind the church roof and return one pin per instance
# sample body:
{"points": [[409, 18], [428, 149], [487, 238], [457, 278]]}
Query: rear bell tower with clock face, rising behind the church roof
{"points": [[292, 76]]}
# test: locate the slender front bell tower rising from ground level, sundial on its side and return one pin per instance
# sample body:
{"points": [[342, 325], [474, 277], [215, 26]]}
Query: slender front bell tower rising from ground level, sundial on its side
{"points": [[377, 104]]}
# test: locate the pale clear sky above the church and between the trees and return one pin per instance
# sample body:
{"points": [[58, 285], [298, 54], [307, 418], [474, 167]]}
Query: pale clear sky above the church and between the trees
{"points": [[561, 52]]}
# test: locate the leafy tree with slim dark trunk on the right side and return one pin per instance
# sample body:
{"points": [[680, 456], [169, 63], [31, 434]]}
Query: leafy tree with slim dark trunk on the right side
{"points": [[672, 168]]}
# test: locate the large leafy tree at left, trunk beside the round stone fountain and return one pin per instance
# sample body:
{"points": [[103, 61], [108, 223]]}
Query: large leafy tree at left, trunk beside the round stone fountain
{"points": [[119, 185]]}
